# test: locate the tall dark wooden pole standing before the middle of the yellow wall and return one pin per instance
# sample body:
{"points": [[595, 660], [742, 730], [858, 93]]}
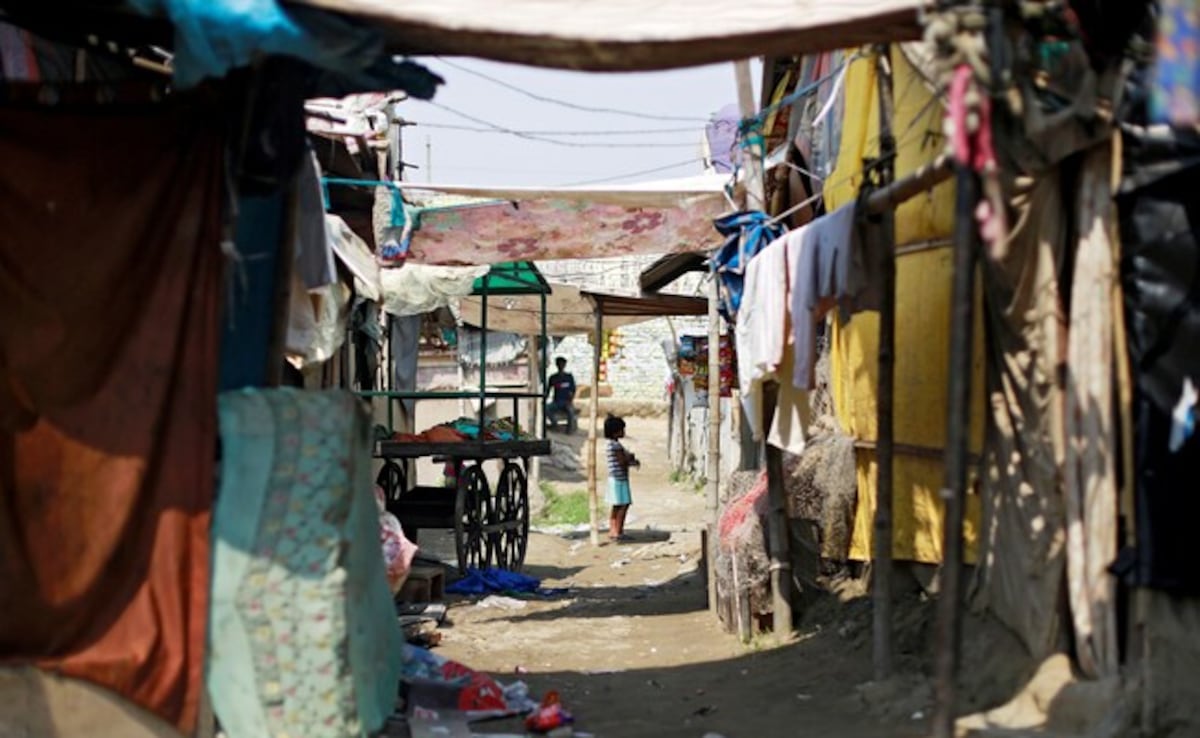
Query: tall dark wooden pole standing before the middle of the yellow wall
{"points": [[885, 241]]}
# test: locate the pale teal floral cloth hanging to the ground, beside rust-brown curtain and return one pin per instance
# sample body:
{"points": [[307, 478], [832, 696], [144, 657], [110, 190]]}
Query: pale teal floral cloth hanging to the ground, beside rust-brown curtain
{"points": [[304, 640]]}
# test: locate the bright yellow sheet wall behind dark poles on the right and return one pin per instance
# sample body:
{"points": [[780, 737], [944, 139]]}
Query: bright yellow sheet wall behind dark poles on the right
{"points": [[923, 320]]}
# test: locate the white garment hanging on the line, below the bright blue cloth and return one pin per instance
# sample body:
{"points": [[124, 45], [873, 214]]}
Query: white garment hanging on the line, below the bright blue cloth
{"points": [[761, 328]]}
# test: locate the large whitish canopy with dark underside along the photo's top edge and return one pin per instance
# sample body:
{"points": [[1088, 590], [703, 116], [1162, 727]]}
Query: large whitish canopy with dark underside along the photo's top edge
{"points": [[631, 34]]}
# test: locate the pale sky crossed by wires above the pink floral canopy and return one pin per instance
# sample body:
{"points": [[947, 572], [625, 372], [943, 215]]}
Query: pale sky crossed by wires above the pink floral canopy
{"points": [[683, 100]]}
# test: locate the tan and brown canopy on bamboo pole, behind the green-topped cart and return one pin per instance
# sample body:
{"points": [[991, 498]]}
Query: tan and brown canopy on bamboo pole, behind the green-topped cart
{"points": [[571, 310]]}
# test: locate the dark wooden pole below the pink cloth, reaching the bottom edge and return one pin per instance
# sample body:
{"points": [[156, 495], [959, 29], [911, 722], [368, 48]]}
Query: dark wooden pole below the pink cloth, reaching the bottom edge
{"points": [[949, 633]]}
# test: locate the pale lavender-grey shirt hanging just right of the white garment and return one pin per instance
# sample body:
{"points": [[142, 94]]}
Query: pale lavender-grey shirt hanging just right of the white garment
{"points": [[829, 268]]}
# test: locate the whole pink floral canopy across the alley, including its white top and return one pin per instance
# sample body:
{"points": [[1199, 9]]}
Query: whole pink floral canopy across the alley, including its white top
{"points": [[524, 224]]}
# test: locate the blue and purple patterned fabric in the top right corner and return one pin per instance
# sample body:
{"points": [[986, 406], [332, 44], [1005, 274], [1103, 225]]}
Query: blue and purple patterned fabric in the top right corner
{"points": [[1175, 98]]}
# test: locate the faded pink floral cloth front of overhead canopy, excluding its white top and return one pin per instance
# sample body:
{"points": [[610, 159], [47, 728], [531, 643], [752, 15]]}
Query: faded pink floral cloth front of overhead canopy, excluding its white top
{"points": [[493, 233]]}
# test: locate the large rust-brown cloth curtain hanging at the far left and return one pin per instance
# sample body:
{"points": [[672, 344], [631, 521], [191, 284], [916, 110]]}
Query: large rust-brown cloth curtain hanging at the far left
{"points": [[110, 296]]}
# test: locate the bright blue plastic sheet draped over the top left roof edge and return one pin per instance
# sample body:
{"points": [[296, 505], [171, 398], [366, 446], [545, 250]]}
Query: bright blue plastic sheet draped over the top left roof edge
{"points": [[214, 37]]}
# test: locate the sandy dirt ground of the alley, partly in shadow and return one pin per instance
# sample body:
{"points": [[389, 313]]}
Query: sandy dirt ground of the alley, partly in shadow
{"points": [[634, 651]]}
